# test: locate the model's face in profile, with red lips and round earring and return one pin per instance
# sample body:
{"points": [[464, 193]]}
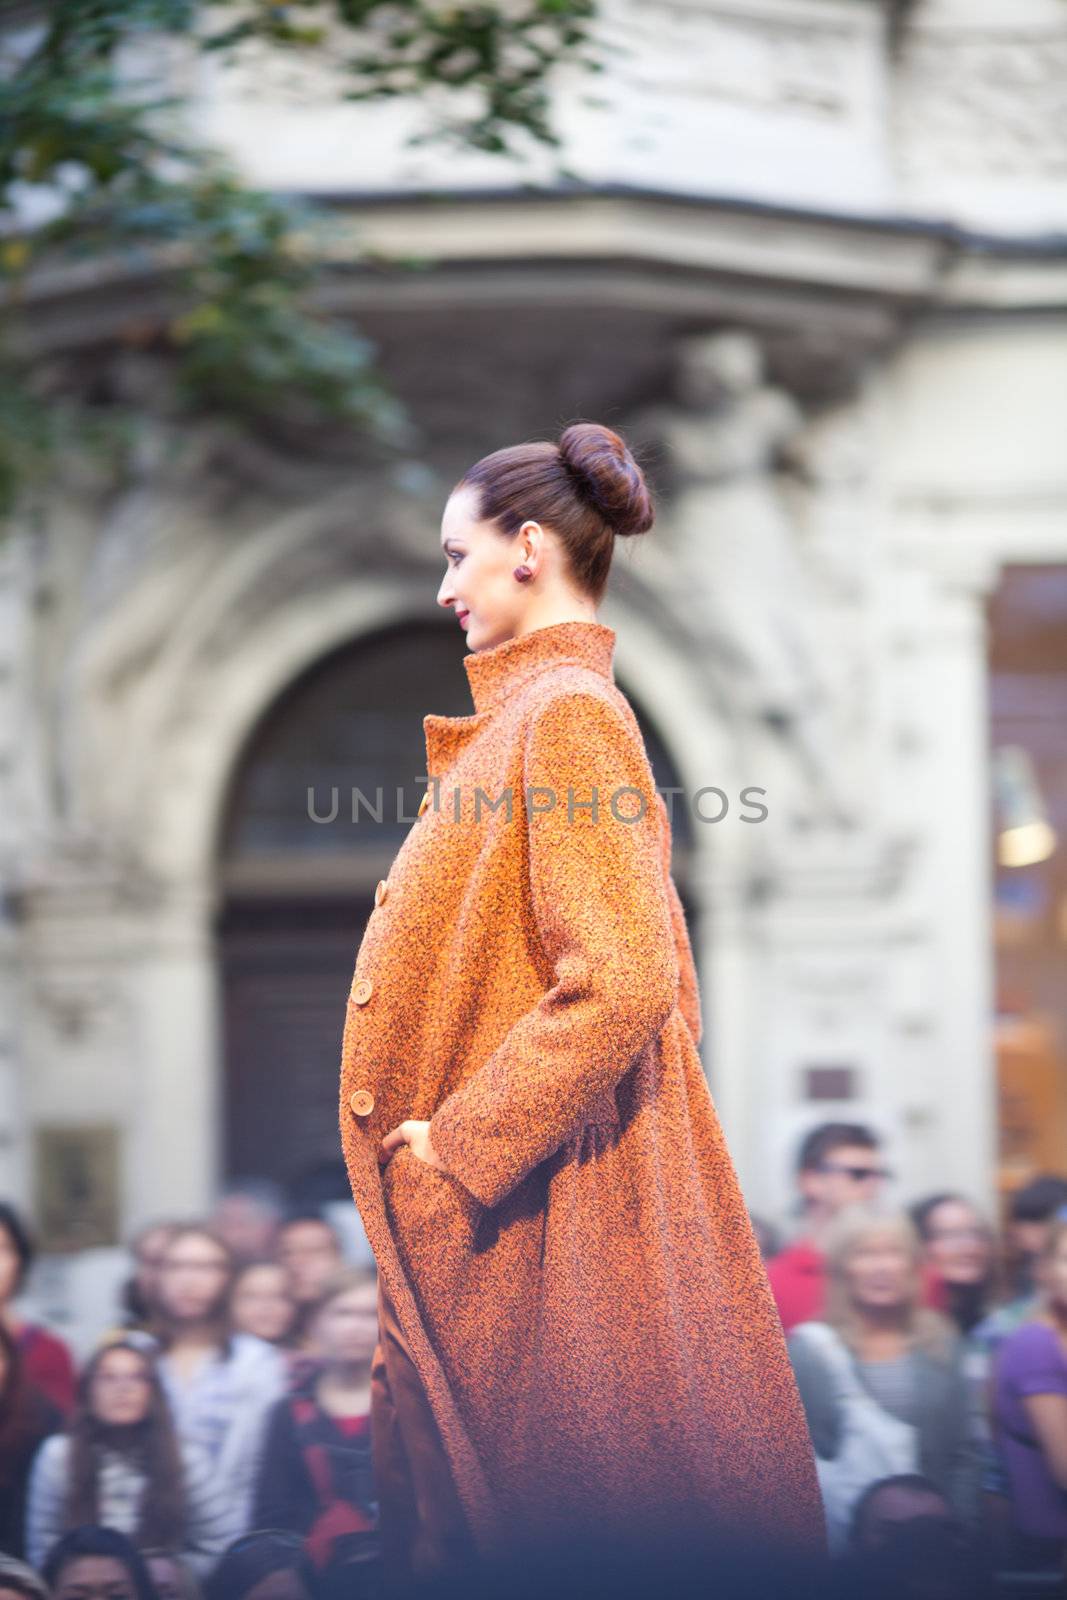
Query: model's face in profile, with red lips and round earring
{"points": [[481, 564]]}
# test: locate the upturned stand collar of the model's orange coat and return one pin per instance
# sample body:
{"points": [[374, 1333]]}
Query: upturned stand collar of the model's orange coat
{"points": [[498, 673]]}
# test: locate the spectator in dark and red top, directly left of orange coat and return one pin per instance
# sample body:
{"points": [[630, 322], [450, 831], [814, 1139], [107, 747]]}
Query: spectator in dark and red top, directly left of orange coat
{"points": [[318, 1476]]}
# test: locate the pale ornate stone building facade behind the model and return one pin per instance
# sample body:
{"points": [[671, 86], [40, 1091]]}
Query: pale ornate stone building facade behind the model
{"points": [[812, 258]]}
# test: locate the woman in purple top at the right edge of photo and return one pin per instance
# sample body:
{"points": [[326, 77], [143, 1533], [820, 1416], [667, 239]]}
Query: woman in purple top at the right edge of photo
{"points": [[1031, 1414]]}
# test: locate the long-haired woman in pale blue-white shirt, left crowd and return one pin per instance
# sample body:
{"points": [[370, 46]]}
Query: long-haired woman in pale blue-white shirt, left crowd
{"points": [[220, 1383]]}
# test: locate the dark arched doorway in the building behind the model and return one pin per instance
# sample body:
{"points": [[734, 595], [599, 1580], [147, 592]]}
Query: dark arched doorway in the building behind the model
{"points": [[298, 865]]}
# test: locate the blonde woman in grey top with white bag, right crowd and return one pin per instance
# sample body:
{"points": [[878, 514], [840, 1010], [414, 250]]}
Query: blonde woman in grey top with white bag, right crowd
{"points": [[882, 1378]]}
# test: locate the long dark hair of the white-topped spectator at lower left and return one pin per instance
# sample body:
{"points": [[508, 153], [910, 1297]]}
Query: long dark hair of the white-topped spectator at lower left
{"points": [[151, 1444]]}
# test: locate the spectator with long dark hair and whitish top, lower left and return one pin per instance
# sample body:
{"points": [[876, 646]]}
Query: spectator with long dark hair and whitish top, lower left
{"points": [[121, 1466]]}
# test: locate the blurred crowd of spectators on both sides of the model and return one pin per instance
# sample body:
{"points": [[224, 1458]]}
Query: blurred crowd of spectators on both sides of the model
{"points": [[217, 1442]]}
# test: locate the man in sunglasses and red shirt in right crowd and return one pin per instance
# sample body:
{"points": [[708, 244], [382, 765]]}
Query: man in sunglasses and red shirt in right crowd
{"points": [[837, 1167]]}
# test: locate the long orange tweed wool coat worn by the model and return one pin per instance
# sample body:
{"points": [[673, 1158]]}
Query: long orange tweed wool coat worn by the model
{"points": [[581, 1287]]}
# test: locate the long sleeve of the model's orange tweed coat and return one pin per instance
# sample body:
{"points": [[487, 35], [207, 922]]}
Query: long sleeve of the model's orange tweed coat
{"points": [[601, 911]]}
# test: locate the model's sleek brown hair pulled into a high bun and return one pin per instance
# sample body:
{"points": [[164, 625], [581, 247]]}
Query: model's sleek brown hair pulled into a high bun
{"points": [[588, 489]]}
